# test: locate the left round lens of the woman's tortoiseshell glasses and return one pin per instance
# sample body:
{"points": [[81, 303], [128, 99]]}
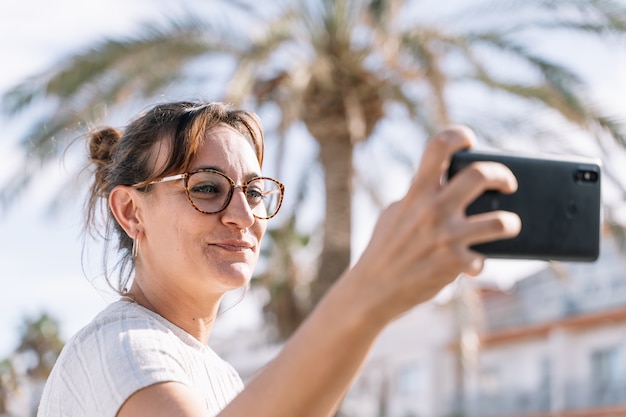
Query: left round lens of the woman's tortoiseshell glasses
{"points": [[208, 191]]}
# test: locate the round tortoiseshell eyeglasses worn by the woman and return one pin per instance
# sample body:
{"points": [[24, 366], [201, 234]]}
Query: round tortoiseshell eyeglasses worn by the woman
{"points": [[210, 192]]}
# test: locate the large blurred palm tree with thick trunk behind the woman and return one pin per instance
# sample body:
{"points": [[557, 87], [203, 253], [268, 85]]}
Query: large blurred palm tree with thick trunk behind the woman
{"points": [[337, 66]]}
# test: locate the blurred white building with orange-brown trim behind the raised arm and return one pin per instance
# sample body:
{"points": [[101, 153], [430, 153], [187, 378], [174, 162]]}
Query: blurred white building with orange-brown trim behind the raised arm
{"points": [[554, 345]]}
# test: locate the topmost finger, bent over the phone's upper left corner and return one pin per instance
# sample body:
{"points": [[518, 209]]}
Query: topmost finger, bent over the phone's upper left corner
{"points": [[438, 154]]}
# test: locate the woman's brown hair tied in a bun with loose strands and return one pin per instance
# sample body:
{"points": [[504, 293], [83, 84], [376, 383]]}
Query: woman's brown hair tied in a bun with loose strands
{"points": [[127, 158]]}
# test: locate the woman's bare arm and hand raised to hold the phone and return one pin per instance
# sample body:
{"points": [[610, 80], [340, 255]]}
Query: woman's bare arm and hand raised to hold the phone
{"points": [[420, 244]]}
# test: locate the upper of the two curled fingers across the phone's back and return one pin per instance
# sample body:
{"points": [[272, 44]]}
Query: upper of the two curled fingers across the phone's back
{"points": [[478, 177]]}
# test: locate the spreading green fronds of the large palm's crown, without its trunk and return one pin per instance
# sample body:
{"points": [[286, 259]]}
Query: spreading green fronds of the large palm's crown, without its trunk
{"points": [[82, 89]]}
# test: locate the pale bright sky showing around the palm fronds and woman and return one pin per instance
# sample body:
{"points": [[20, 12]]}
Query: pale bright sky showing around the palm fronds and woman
{"points": [[41, 262]]}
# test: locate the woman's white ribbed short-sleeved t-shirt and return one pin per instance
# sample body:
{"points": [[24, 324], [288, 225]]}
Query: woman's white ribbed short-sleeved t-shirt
{"points": [[124, 349]]}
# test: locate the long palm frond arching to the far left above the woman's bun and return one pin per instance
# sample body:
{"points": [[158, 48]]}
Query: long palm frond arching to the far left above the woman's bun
{"points": [[80, 90]]}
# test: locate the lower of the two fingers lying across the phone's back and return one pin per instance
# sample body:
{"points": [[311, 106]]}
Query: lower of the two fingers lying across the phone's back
{"points": [[489, 226]]}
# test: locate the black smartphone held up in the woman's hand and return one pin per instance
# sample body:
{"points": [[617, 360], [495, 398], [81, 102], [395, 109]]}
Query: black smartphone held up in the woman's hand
{"points": [[558, 201]]}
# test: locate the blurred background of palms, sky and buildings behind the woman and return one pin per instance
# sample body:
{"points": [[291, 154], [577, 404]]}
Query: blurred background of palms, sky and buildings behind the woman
{"points": [[349, 92]]}
